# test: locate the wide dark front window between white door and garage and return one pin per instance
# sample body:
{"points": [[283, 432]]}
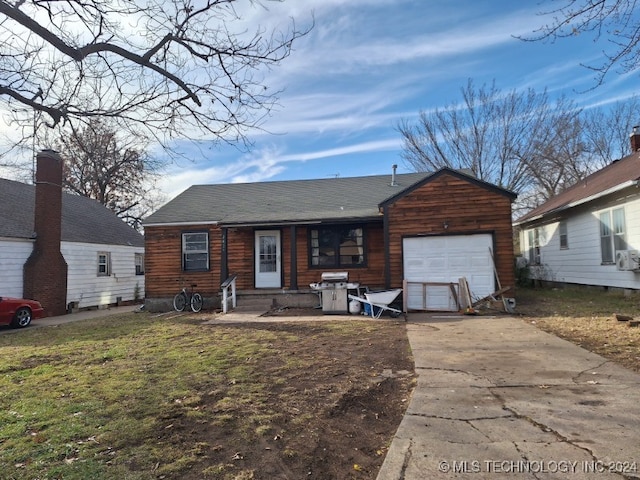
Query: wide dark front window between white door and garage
{"points": [[337, 247]]}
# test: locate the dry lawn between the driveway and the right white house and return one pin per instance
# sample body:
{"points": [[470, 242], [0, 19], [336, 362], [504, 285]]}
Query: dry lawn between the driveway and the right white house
{"points": [[586, 317]]}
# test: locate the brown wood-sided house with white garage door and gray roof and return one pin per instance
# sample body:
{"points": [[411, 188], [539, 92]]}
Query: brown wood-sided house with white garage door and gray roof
{"points": [[279, 237]]}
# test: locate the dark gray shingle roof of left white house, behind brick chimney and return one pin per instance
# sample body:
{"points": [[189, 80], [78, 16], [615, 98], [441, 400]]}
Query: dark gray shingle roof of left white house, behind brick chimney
{"points": [[83, 219]]}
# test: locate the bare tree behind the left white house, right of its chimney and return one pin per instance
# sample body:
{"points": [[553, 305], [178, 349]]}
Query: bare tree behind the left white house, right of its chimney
{"points": [[114, 170]]}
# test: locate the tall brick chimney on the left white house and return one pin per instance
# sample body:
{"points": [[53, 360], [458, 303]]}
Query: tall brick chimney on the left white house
{"points": [[45, 272]]}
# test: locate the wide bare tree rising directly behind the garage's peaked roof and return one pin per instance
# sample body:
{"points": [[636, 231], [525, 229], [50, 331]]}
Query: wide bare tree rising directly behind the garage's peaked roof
{"points": [[495, 135]]}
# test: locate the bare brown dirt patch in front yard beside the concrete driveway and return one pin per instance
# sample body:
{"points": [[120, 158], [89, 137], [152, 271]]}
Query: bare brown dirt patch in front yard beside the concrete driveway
{"points": [[333, 422]]}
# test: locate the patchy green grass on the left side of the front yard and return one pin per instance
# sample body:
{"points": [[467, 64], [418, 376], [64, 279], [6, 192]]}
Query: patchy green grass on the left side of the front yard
{"points": [[87, 400]]}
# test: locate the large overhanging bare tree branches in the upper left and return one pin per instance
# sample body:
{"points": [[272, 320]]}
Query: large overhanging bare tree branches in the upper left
{"points": [[173, 67]]}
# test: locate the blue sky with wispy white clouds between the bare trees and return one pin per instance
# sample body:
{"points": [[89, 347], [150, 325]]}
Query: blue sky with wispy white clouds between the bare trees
{"points": [[367, 65]]}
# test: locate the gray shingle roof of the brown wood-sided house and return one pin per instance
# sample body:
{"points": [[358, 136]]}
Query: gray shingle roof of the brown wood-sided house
{"points": [[283, 201]]}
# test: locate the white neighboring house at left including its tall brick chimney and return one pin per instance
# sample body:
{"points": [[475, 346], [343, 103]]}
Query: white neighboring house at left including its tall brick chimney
{"points": [[65, 250]]}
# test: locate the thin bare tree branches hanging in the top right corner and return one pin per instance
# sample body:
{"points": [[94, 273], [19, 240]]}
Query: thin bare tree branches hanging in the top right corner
{"points": [[615, 21]]}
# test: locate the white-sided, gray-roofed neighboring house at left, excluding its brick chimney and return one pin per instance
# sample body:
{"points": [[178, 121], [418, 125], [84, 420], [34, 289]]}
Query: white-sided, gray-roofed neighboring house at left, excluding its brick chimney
{"points": [[104, 255]]}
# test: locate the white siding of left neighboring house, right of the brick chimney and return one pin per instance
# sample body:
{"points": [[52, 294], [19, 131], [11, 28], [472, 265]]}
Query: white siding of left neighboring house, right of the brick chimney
{"points": [[89, 289]]}
